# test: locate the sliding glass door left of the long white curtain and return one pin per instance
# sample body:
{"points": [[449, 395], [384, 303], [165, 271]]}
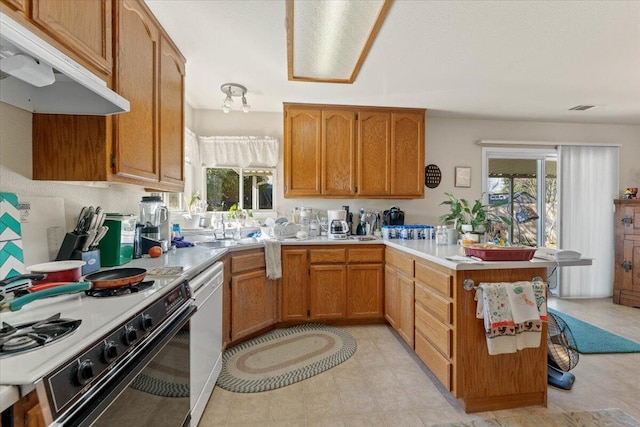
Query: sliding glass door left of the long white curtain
{"points": [[522, 185]]}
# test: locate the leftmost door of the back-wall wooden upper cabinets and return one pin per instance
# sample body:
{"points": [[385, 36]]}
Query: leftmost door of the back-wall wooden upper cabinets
{"points": [[302, 150]]}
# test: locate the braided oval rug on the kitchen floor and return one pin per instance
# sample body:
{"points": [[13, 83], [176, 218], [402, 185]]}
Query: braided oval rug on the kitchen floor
{"points": [[284, 356]]}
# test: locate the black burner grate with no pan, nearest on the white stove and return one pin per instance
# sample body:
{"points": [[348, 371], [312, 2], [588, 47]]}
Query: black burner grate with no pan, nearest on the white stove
{"points": [[32, 335]]}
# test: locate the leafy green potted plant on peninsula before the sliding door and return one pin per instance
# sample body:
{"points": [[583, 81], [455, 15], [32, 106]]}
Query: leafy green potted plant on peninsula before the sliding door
{"points": [[464, 214]]}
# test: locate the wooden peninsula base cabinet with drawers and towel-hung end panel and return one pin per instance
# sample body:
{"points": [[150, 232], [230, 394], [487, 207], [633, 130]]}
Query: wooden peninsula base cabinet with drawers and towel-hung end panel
{"points": [[451, 341]]}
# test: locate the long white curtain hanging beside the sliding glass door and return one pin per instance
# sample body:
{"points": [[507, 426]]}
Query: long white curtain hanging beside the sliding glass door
{"points": [[588, 179]]}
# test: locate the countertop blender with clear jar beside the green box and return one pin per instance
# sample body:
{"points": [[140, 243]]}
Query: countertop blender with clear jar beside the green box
{"points": [[153, 214]]}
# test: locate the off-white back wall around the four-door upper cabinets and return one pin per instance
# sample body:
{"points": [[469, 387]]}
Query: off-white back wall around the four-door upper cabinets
{"points": [[449, 143]]}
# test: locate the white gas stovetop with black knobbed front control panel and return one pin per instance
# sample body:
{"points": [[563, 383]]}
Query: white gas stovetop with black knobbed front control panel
{"points": [[107, 336]]}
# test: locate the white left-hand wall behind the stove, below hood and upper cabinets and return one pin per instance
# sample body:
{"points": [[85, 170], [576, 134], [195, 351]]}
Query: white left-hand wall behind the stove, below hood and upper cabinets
{"points": [[16, 173]]}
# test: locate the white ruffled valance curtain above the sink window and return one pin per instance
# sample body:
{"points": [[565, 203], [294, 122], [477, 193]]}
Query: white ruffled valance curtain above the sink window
{"points": [[238, 151]]}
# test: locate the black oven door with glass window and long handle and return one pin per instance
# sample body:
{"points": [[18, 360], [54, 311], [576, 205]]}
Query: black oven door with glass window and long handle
{"points": [[151, 390]]}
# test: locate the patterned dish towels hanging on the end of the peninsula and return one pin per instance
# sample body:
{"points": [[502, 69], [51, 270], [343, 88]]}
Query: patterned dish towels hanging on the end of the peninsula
{"points": [[513, 314]]}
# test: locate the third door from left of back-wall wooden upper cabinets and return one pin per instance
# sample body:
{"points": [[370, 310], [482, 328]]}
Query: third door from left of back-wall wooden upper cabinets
{"points": [[374, 150]]}
